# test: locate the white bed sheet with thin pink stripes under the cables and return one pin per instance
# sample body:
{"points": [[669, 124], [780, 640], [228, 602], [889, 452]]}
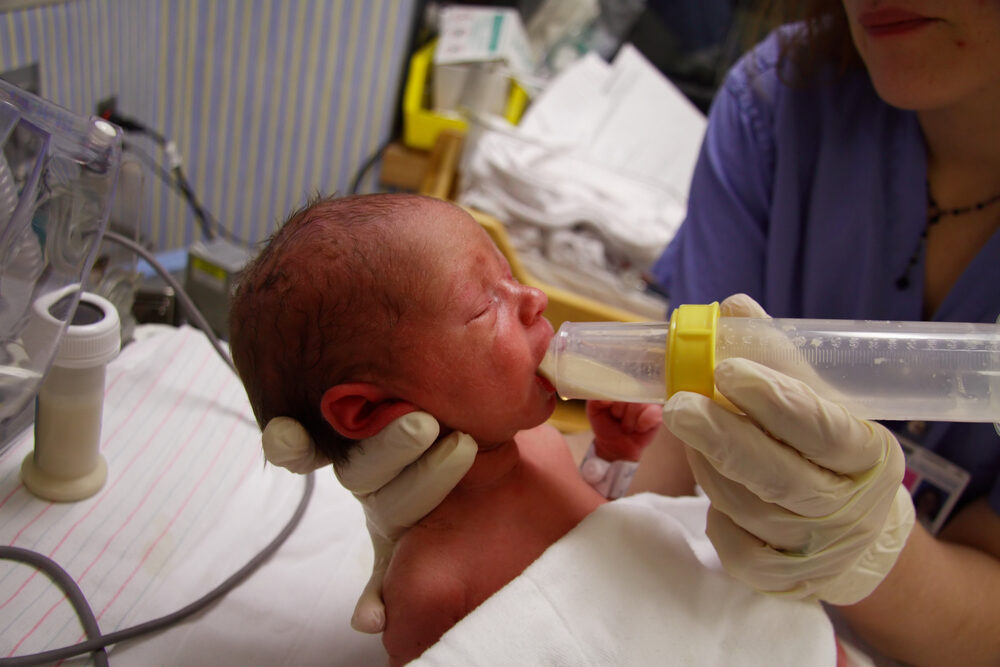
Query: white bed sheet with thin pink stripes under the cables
{"points": [[188, 501]]}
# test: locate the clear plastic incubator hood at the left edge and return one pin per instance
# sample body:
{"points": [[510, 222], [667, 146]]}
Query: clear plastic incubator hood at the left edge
{"points": [[58, 172]]}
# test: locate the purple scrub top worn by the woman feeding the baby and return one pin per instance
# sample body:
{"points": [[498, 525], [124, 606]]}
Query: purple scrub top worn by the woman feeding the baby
{"points": [[812, 200]]}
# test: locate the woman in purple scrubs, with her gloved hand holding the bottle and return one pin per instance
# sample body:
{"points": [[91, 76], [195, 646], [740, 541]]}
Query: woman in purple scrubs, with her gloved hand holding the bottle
{"points": [[851, 169]]}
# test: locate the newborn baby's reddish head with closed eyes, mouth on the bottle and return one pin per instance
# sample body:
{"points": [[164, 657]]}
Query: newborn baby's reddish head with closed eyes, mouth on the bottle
{"points": [[361, 309]]}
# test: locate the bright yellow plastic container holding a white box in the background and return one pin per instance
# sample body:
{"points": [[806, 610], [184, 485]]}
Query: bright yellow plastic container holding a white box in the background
{"points": [[421, 126]]}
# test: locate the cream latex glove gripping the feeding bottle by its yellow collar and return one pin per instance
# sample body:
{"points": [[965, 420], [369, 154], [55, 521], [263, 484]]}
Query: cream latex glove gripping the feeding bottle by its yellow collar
{"points": [[806, 499]]}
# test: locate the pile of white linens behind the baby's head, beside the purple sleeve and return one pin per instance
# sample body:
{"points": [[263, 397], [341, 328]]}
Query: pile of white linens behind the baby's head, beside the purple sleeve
{"points": [[611, 147]]}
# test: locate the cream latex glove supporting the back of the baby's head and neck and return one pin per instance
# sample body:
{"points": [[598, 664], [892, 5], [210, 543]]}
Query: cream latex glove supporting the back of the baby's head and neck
{"points": [[398, 475]]}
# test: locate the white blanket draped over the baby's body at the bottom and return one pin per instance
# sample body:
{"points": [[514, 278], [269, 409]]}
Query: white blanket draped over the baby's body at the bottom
{"points": [[636, 583]]}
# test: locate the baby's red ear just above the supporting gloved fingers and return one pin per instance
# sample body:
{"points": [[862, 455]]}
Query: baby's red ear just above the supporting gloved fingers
{"points": [[359, 410]]}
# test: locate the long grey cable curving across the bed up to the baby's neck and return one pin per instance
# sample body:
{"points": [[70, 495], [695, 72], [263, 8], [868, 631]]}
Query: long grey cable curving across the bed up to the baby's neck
{"points": [[164, 622]]}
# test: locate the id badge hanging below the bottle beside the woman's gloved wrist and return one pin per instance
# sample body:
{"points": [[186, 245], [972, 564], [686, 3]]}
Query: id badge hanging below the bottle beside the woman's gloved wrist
{"points": [[934, 483]]}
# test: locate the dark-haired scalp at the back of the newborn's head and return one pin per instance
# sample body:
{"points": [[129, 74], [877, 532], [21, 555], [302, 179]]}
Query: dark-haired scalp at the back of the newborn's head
{"points": [[317, 307]]}
